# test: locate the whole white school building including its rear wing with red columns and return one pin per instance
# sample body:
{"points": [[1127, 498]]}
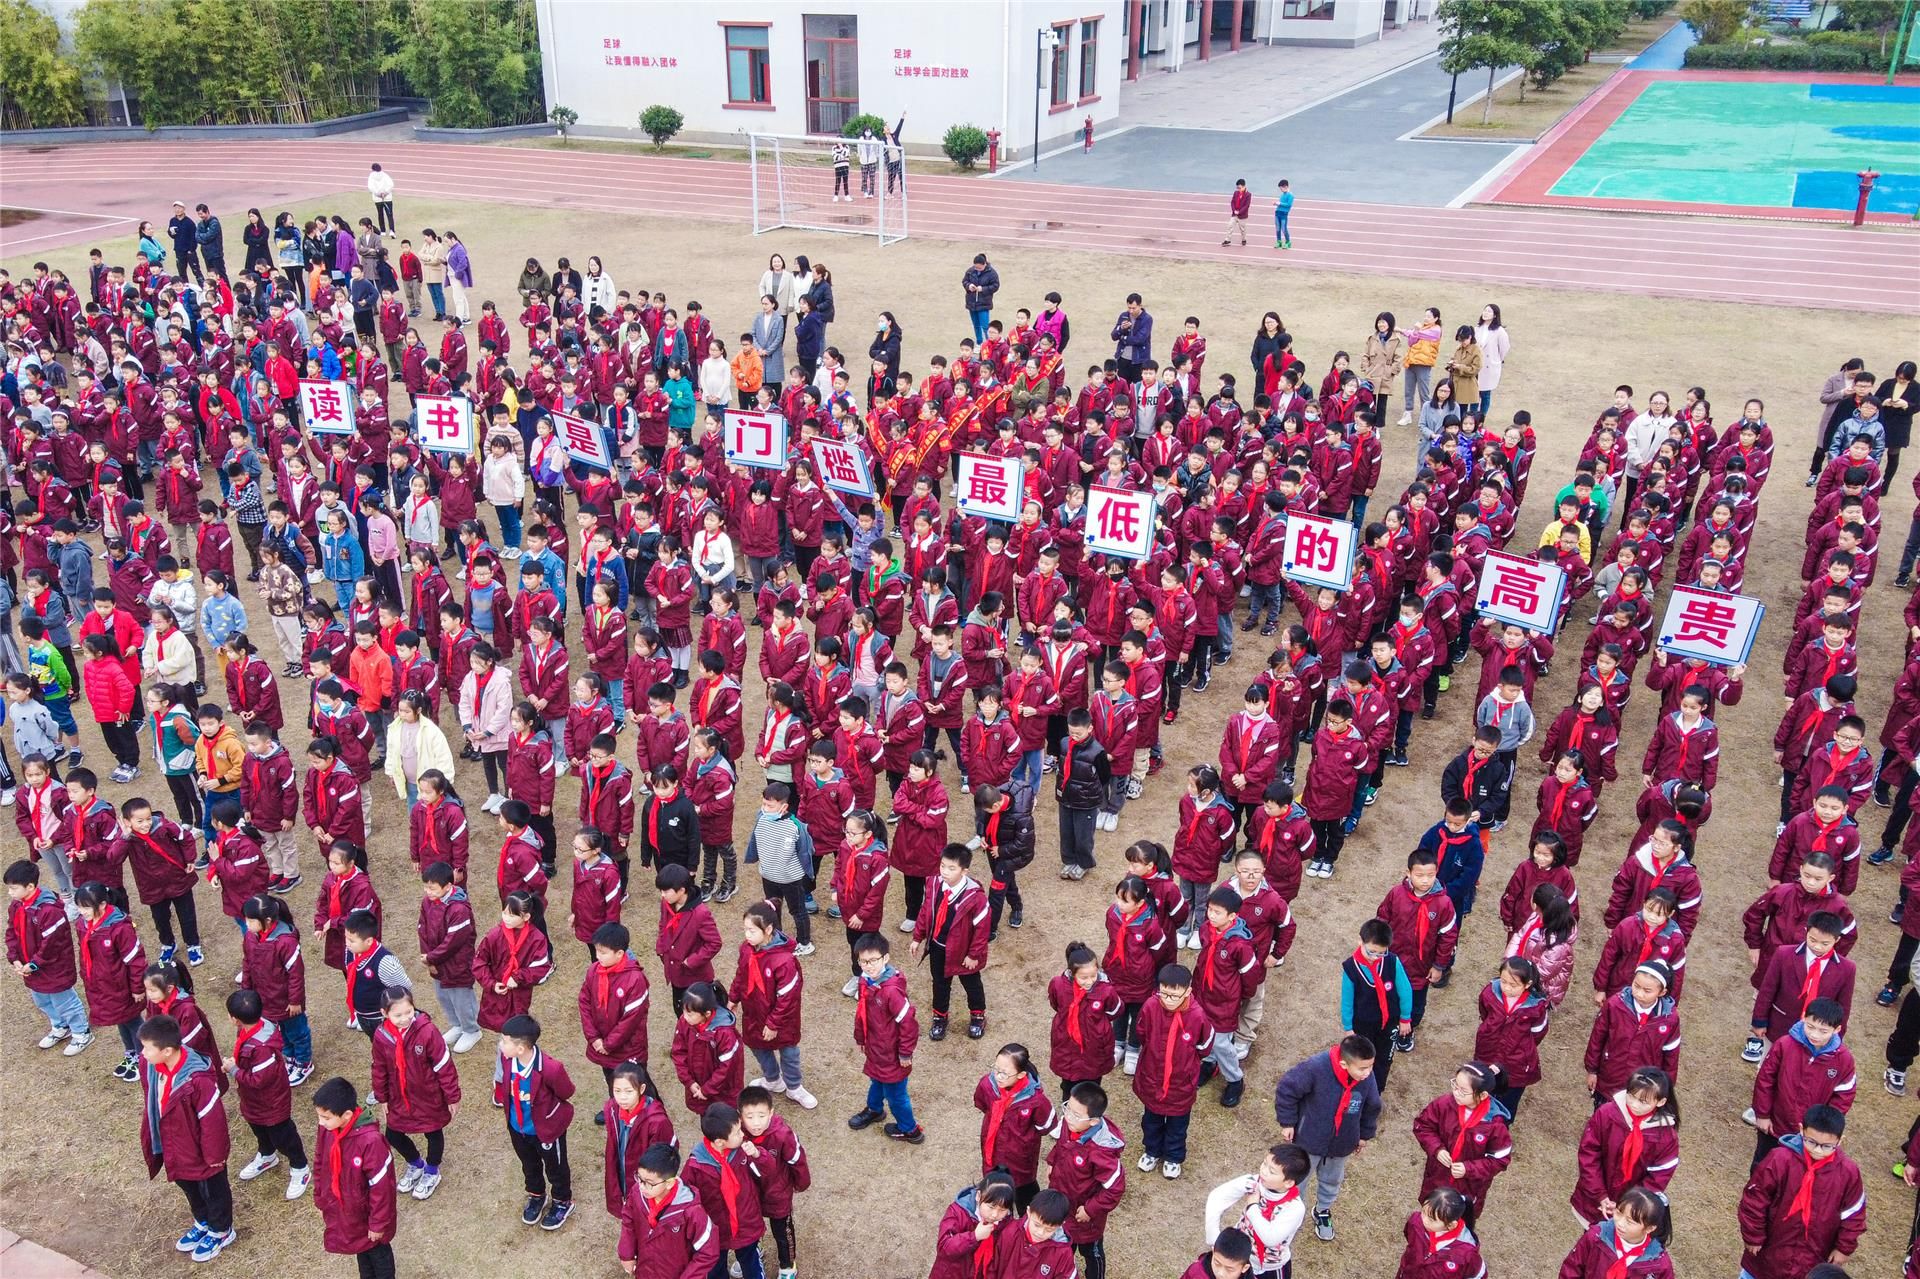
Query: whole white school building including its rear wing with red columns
{"points": [[1020, 68]]}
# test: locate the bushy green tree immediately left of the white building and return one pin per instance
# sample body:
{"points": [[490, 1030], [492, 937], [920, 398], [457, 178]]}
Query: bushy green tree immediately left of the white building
{"points": [[477, 62]]}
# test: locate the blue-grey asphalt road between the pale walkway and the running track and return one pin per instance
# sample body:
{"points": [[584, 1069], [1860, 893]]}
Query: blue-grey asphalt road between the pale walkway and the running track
{"points": [[1345, 149]]}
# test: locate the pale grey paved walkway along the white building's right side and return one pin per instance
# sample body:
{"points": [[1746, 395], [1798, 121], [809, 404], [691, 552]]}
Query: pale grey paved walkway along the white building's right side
{"points": [[1264, 82]]}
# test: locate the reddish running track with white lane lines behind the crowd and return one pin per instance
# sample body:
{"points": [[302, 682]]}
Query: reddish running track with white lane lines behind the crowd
{"points": [[1669, 258]]}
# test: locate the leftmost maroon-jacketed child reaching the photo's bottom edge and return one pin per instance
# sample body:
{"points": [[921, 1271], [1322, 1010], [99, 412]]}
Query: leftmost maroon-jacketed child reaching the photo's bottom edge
{"points": [[356, 1190]]}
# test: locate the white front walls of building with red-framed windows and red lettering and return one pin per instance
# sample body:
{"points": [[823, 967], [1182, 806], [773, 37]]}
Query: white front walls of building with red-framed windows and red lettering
{"points": [[942, 64]]}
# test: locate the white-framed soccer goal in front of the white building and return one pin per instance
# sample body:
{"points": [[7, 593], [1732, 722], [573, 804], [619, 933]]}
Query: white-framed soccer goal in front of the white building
{"points": [[798, 185]]}
